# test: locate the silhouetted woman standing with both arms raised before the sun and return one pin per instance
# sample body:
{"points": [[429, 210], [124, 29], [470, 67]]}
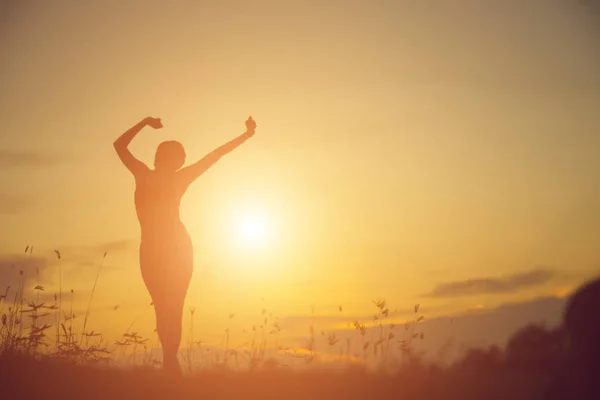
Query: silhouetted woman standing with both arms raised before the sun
{"points": [[166, 253]]}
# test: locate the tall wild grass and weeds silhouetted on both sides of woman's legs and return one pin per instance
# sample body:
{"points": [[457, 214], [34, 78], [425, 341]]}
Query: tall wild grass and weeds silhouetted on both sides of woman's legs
{"points": [[379, 339]]}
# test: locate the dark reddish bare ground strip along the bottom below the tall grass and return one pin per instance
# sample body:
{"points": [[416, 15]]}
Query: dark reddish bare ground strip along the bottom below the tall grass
{"points": [[28, 378]]}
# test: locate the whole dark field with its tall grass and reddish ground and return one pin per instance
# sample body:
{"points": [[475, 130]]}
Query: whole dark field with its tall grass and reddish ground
{"points": [[46, 353]]}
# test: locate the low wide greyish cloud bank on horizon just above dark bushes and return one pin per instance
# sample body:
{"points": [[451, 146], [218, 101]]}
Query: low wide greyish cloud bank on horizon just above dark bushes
{"points": [[481, 328]]}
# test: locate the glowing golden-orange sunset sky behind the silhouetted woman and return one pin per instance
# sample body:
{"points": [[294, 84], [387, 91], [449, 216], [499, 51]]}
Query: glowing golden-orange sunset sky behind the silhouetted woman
{"points": [[402, 148]]}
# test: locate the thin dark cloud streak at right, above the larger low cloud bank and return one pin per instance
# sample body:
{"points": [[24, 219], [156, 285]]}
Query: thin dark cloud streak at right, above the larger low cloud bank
{"points": [[506, 284]]}
